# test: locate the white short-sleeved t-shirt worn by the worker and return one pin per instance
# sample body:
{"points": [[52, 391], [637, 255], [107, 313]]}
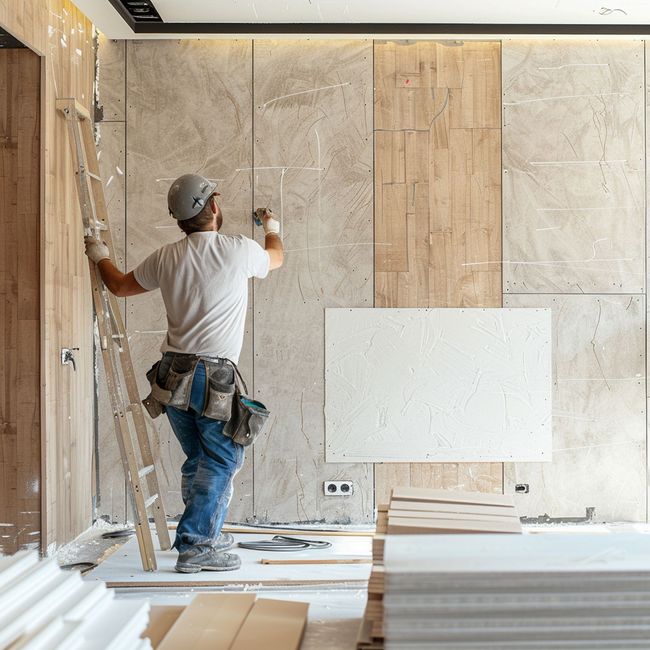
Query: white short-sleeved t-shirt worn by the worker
{"points": [[203, 279]]}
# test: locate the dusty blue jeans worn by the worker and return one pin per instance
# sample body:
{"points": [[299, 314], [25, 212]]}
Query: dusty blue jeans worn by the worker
{"points": [[207, 474]]}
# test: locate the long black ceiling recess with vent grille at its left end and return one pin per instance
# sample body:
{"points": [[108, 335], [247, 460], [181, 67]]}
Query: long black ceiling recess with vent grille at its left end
{"points": [[143, 18]]}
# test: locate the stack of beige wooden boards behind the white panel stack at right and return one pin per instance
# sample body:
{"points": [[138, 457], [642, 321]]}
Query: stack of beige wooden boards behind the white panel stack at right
{"points": [[421, 511]]}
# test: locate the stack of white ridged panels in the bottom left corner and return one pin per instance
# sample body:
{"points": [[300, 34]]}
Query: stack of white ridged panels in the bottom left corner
{"points": [[45, 608]]}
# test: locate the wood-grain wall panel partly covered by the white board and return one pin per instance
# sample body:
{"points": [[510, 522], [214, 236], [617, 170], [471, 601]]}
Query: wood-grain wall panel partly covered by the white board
{"points": [[437, 201]]}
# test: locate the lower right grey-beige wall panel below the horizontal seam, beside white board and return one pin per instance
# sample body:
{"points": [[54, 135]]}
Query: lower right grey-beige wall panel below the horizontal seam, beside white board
{"points": [[598, 411]]}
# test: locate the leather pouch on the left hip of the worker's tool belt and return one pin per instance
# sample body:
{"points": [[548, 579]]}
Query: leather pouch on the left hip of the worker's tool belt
{"points": [[171, 383]]}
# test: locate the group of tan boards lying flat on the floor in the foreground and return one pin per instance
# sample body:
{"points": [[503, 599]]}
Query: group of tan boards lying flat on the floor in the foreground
{"points": [[229, 622]]}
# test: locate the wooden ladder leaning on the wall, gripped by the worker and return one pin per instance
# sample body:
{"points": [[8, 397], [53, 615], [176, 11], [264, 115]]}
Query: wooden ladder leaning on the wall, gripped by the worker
{"points": [[120, 376]]}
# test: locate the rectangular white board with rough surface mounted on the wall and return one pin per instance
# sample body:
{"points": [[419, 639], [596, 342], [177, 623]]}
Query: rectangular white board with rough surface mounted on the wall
{"points": [[448, 385]]}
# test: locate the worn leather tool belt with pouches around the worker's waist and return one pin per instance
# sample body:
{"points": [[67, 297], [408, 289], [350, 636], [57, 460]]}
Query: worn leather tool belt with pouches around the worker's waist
{"points": [[226, 394]]}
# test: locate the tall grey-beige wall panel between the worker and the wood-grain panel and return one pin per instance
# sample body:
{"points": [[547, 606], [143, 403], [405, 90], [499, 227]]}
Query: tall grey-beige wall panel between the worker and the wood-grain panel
{"points": [[319, 148]]}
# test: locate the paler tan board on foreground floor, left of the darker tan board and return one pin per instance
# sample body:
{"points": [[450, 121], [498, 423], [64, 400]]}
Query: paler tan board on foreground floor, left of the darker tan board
{"points": [[209, 622]]}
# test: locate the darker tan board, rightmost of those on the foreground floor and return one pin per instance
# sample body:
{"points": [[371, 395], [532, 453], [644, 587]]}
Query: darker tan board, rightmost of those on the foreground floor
{"points": [[274, 625]]}
